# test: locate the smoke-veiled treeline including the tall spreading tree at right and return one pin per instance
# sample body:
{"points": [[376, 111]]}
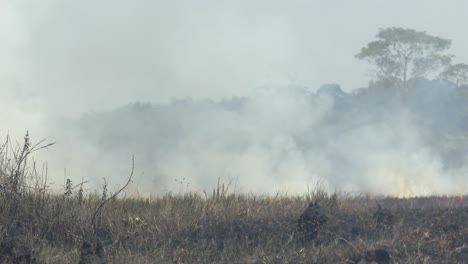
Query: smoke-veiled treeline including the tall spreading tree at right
{"points": [[411, 120]]}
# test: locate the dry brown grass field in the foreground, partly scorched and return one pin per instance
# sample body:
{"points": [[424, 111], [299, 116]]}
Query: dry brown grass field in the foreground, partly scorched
{"points": [[226, 228]]}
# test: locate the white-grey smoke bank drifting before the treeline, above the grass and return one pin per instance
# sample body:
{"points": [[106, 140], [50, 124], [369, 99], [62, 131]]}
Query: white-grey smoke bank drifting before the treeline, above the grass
{"points": [[285, 139]]}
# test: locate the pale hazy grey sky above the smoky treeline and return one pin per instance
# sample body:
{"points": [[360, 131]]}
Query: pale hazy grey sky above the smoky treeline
{"points": [[68, 56]]}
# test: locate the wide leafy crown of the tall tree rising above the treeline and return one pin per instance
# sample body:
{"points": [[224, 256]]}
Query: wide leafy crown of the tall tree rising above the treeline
{"points": [[401, 54]]}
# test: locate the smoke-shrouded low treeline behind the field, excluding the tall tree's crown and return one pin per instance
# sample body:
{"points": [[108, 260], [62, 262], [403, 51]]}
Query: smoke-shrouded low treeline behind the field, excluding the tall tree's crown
{"points": [[343, 128]]}
